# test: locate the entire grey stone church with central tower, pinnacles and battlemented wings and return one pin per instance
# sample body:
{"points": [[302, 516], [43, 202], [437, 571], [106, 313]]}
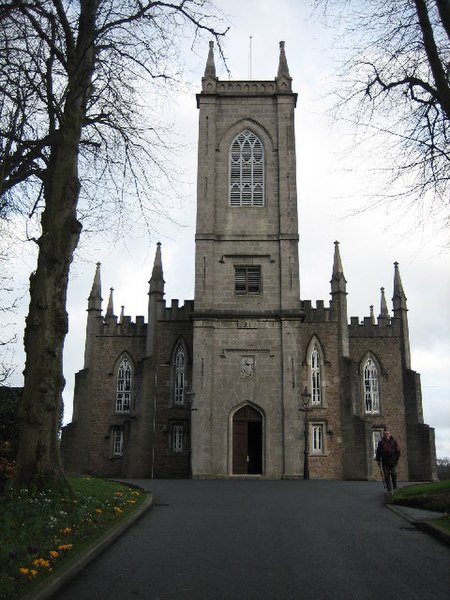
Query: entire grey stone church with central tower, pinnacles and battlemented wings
{"points": [[247, 379]]}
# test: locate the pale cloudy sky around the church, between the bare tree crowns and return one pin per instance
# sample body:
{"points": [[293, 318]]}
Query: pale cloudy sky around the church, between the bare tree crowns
{"points": [[335, 175]]}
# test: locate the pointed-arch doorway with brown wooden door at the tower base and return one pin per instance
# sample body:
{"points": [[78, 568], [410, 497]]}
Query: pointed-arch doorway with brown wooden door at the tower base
{"points": [[247, 441]]}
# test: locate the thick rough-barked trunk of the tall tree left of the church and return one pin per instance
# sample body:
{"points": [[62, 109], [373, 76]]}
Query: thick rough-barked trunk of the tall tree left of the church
{"points": [[38, 460]]}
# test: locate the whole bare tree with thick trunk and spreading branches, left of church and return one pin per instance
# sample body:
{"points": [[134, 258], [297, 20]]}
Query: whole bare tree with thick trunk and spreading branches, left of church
{"points": [[70, 124]]}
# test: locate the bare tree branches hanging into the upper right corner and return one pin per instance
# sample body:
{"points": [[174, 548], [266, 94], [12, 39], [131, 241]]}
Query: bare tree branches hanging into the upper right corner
{"points": [[395, 81]]}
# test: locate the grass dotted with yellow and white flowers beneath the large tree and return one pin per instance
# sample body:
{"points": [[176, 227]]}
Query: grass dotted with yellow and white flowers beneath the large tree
{"points": [[42, 532]]}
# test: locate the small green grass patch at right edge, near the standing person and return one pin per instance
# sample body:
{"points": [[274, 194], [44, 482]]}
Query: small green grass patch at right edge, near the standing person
{"points": [[428, 496]]}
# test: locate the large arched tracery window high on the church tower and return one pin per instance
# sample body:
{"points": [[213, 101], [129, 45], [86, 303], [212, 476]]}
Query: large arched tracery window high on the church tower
{"points": [[246, 170]]}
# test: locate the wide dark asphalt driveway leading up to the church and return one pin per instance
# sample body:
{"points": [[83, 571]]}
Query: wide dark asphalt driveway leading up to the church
{"points": [[267, 540]]}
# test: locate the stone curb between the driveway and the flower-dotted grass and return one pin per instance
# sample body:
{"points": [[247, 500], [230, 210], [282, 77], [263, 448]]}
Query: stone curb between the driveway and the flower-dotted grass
{"points": [[55, 582]]}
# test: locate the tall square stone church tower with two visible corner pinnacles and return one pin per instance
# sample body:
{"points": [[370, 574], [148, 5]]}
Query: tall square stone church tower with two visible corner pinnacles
{"points": [[247, 351]]}
